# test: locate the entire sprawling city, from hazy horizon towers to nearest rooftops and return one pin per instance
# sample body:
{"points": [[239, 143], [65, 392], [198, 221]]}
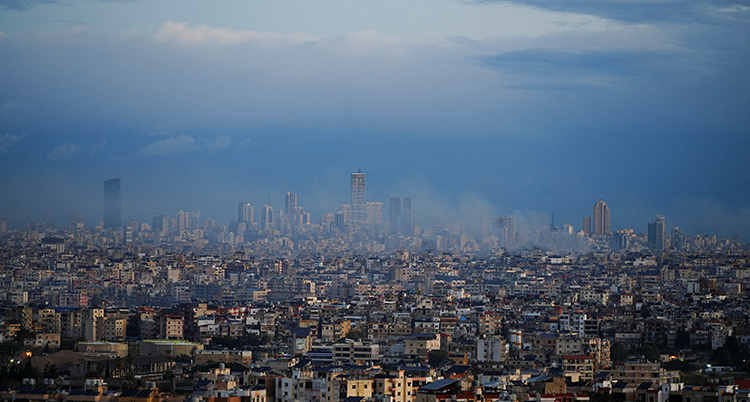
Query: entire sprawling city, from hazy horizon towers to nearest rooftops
{"points": [[356, 308]]}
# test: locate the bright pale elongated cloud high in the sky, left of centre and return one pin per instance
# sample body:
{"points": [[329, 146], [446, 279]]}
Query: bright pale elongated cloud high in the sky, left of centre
{"points": [[180, 32]]}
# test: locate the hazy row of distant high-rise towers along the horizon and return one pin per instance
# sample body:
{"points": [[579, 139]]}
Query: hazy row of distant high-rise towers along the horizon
{"points": [[270, 218]]}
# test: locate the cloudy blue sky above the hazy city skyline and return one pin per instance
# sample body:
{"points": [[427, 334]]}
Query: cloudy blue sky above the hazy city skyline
{"points": [[473, 108]]}
